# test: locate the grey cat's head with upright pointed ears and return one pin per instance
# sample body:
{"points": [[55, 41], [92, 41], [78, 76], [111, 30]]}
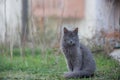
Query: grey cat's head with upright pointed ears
{"points": [[70, 37]]}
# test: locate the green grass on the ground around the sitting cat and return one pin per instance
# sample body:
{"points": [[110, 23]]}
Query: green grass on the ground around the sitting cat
{"points": [[51, 66]]}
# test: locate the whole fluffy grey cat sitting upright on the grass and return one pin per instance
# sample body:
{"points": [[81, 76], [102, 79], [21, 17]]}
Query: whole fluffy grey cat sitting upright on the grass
{"points": [[78, 57]]}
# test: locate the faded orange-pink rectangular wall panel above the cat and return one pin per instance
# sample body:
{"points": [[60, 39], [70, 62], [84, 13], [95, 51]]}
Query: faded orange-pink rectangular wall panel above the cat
{"points": [[69, 8]]}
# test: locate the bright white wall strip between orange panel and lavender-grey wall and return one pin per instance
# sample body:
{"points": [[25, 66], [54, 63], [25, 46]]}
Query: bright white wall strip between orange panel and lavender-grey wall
{"points": [[87, 25]]}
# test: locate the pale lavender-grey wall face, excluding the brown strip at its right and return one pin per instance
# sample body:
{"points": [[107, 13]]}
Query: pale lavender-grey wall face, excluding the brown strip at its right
{"points": [[104, 15]]}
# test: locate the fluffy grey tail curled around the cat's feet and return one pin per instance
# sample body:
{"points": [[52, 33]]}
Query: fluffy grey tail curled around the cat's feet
{"points": [[79, 74]]}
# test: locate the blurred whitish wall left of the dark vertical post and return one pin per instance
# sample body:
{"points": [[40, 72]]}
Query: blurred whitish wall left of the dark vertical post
{"points": [[13, 17]]}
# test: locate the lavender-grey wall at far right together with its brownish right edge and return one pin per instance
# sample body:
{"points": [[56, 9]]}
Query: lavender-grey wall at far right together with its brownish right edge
{"points": [[108, 14]]}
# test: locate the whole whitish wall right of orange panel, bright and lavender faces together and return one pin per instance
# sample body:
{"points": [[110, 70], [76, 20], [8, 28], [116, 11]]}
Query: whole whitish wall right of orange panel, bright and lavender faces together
{"points": [[99, 14]]}
